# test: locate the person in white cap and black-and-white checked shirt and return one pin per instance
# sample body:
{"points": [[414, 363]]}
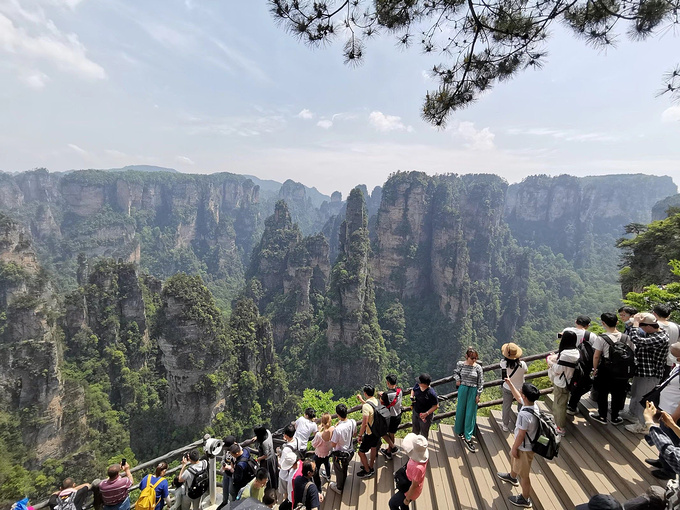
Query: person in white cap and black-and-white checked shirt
{"points": [[651, 354]]}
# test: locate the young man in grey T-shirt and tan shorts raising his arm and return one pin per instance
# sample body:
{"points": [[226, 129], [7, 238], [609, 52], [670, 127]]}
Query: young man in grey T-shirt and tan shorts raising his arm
{"points": [[522, 453]]}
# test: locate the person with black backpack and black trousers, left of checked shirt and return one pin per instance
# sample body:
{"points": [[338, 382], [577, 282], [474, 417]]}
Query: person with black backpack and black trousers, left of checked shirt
{"points": [[614, 353]]}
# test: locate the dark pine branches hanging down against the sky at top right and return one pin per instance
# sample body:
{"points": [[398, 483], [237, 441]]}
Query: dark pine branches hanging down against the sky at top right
{"points": [[483, 41]]}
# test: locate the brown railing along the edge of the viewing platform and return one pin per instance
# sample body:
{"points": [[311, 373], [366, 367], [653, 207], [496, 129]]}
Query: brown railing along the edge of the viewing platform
{"points": [[179, 452]]}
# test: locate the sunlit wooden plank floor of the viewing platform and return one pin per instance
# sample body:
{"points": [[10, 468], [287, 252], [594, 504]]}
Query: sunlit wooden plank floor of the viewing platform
{"points": [[593, 459]]}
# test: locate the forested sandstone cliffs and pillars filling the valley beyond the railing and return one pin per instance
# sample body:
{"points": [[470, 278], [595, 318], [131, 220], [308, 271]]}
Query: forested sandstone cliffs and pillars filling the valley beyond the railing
{"points": [[140, 310]]}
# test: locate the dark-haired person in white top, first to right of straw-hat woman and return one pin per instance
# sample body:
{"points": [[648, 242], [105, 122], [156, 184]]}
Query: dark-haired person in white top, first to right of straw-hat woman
{"points": [[561, 371]]}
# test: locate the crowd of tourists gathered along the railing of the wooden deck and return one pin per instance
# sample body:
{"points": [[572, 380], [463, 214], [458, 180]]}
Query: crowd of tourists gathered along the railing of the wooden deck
{"points": [[643, 360]]}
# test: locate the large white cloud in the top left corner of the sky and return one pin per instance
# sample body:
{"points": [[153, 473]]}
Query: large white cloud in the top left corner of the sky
{"points": [[30, 37]]}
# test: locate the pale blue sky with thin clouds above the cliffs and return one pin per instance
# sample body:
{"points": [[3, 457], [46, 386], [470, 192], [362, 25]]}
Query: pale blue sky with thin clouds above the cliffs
{"points": [[209, 86]]}
